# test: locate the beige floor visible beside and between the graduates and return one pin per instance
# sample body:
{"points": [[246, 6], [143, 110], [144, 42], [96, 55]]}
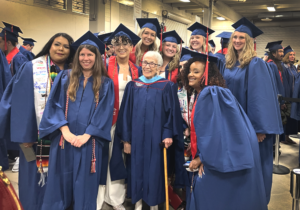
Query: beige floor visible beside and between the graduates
{"points": [[280, 199]]}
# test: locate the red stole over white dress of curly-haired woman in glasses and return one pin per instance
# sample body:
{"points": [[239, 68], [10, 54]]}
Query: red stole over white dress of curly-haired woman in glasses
{"points": [[113, 74]]}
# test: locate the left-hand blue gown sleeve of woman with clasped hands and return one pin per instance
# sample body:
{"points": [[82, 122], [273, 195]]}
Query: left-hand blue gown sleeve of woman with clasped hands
{"points": [[54, 114]]}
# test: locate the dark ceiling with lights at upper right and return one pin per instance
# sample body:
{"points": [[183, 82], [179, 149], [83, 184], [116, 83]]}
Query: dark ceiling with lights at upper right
{"points": [[255, 10]]}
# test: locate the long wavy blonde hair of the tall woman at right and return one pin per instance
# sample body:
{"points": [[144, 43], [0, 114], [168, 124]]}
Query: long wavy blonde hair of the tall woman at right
{"points": [[245, 57]]}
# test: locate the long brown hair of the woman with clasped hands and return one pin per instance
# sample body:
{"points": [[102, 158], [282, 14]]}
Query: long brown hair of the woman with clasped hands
{"points": [[98, 71]]}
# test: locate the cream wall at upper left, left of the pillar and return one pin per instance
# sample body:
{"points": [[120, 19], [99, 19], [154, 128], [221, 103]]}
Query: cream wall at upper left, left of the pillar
{"points": [[41, 23]]}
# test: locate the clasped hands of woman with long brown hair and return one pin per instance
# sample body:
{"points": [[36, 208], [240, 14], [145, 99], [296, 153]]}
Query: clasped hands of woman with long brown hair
{"points": [[76, 141]]}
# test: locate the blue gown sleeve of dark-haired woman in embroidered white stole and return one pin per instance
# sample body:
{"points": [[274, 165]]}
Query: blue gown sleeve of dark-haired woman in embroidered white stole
{"points": [[23, 117]]}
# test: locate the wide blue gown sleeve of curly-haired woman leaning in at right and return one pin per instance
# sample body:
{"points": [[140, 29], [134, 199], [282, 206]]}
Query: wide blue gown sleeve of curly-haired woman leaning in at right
{"points": [[222, 130]]}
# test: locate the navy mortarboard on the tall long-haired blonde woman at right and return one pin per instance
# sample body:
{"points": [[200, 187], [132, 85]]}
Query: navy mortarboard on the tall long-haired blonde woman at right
{"points": [[244, 25]]}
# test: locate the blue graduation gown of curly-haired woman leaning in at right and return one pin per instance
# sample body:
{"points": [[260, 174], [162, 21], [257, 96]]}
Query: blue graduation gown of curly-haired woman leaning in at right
{"points": [[228, 148]]}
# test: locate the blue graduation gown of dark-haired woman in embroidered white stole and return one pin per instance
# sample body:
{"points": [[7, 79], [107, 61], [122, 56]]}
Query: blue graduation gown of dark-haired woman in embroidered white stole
{"points": [[18, 123]]}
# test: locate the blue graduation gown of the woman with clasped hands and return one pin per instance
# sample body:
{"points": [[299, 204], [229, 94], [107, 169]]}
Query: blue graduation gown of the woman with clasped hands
{"points": [[70, 181]]}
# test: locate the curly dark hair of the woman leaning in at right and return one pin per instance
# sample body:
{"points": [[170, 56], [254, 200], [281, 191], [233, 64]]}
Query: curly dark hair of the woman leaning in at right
{"points": [[214, 75]]}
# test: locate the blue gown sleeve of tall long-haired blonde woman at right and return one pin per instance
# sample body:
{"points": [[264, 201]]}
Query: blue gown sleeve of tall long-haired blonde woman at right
{"points": [[262, 103]]}
